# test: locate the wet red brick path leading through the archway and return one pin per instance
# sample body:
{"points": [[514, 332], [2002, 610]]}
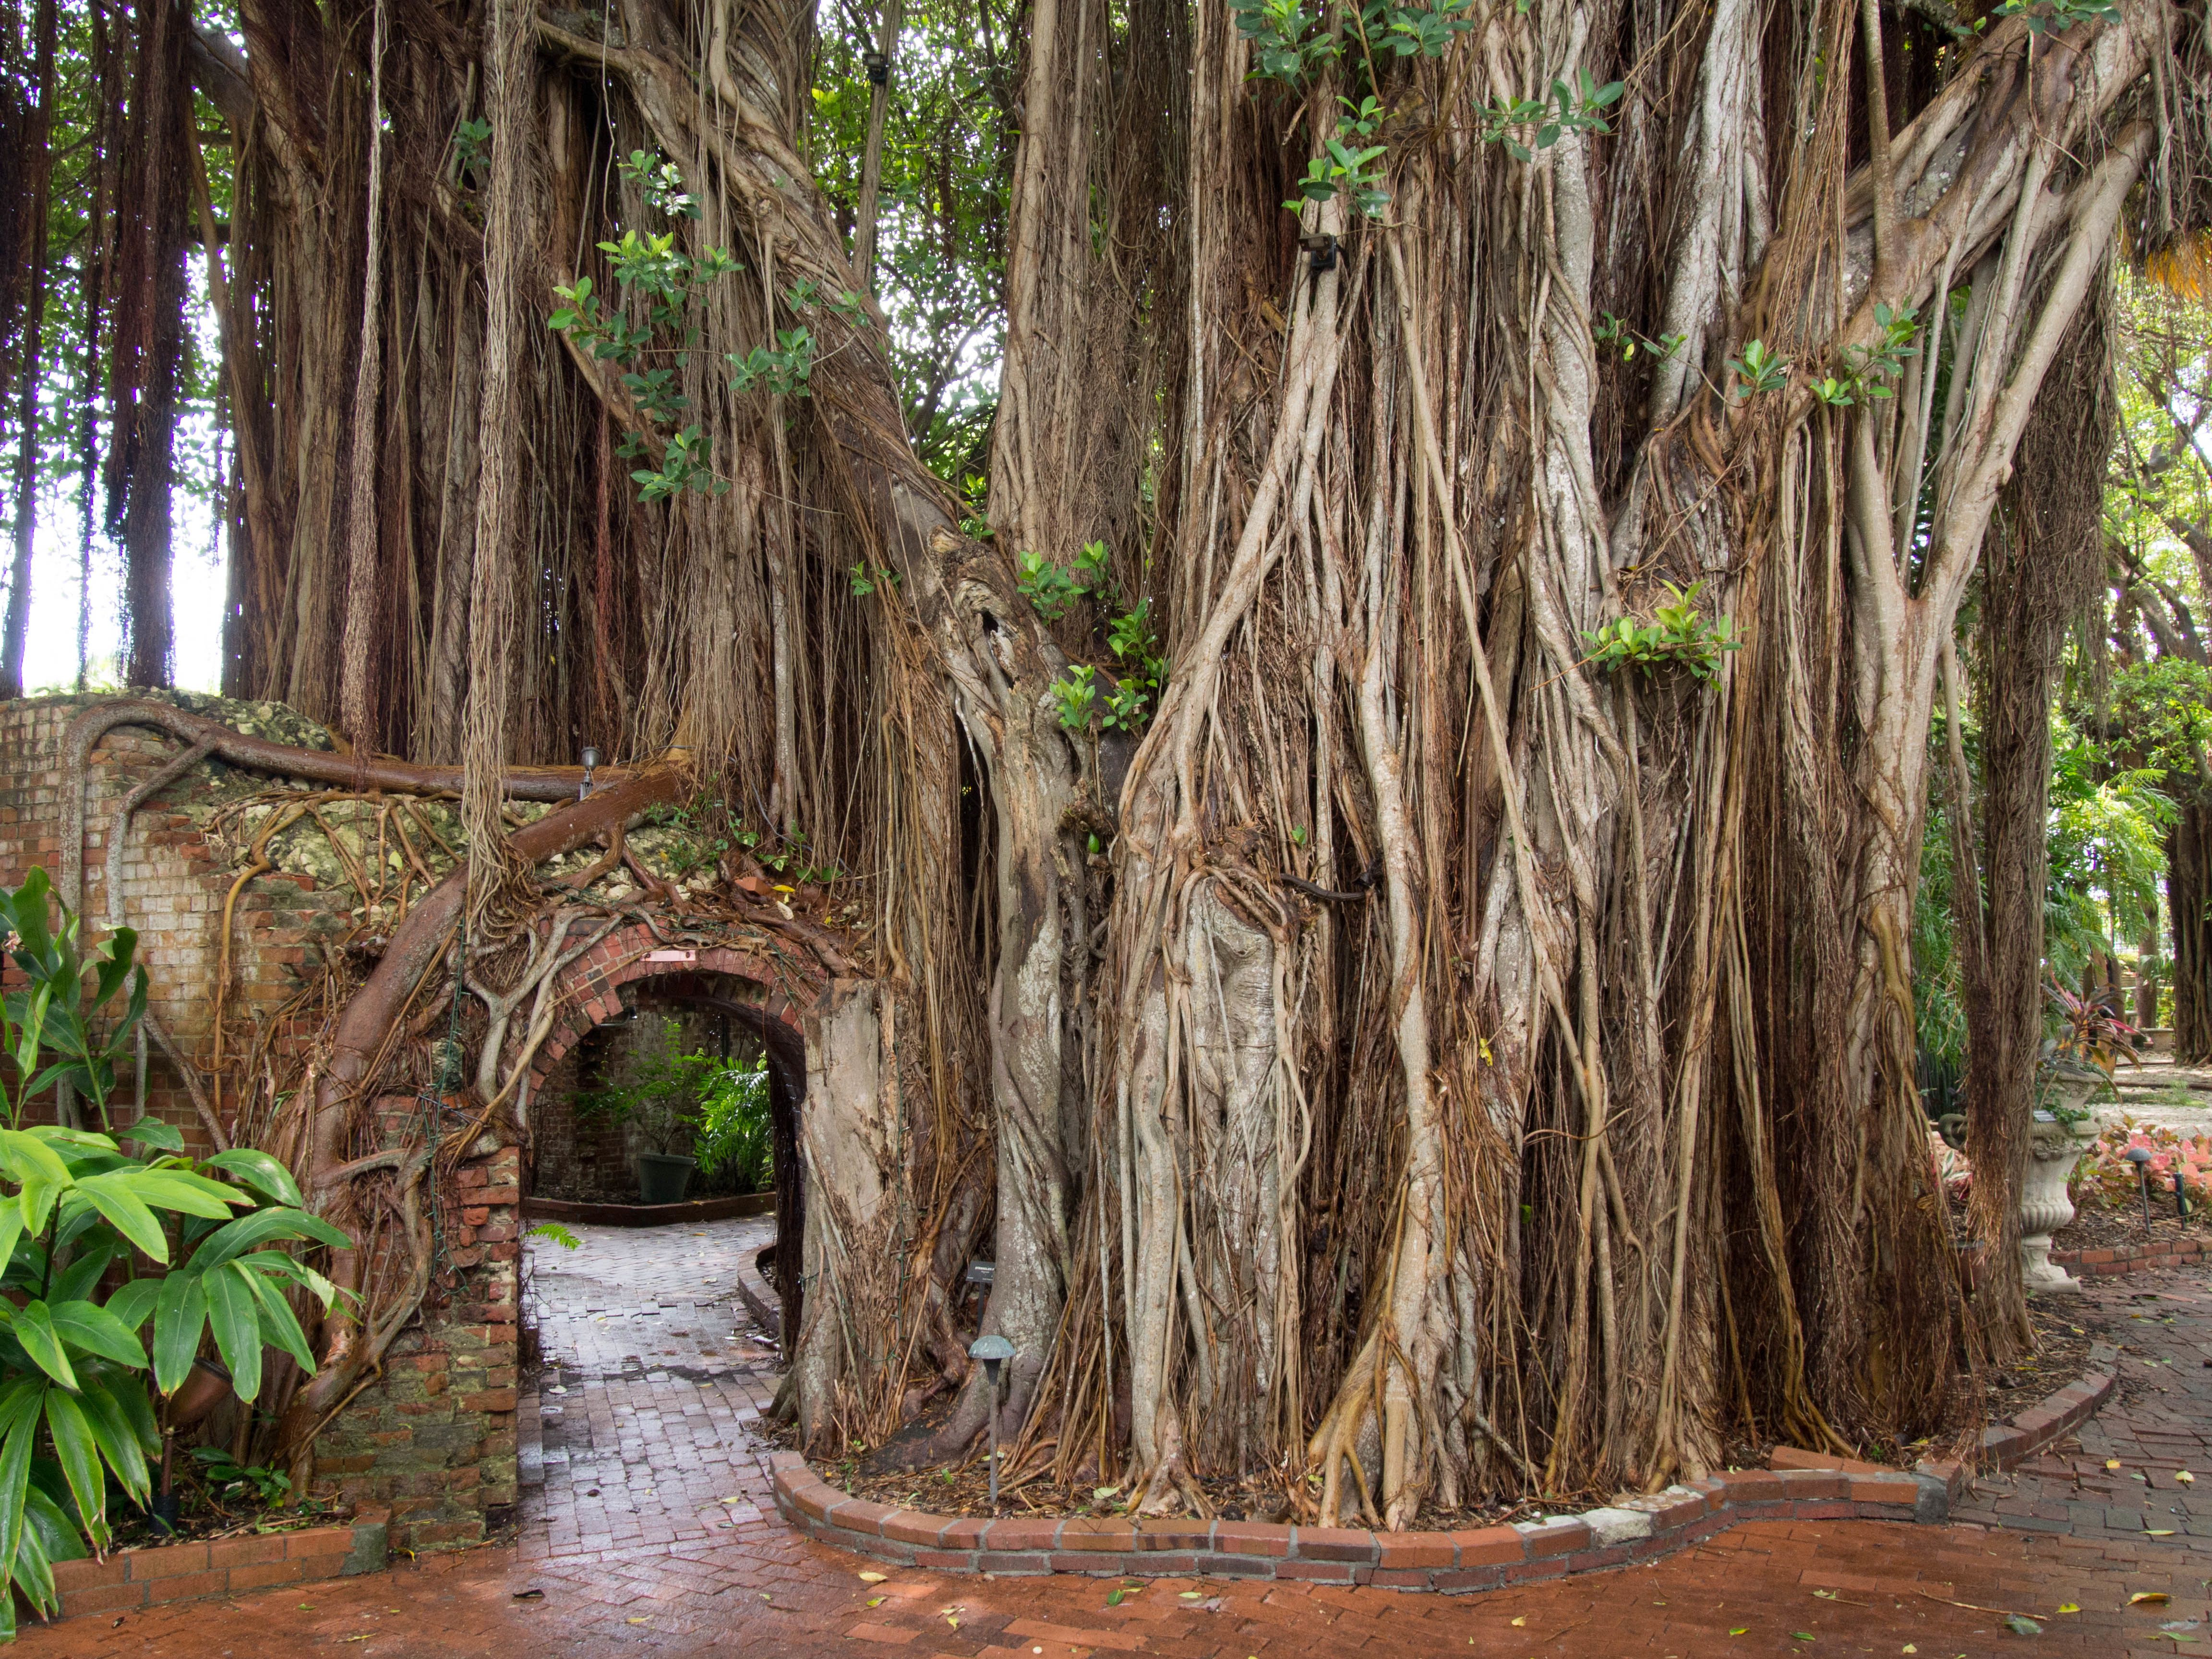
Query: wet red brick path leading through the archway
{"points": [[629, 1547]]}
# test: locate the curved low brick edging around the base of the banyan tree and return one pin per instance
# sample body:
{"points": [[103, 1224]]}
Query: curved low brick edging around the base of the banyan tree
{"points": [[1634, 1530]]}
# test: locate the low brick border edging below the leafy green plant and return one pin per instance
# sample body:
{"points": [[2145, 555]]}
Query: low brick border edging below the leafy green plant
{"points": [[143, 1578]]}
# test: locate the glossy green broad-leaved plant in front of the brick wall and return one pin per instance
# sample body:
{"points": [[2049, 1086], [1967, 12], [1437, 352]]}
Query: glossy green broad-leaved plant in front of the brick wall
{"points": [[87, 1361]]}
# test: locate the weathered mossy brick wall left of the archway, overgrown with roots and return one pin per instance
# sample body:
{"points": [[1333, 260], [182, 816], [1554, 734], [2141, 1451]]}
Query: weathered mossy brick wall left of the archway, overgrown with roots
{"points": [[437, 1437]]}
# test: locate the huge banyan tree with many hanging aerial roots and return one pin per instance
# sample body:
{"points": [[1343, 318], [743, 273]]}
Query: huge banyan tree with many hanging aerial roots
{"points": [[1370, 811]]}
